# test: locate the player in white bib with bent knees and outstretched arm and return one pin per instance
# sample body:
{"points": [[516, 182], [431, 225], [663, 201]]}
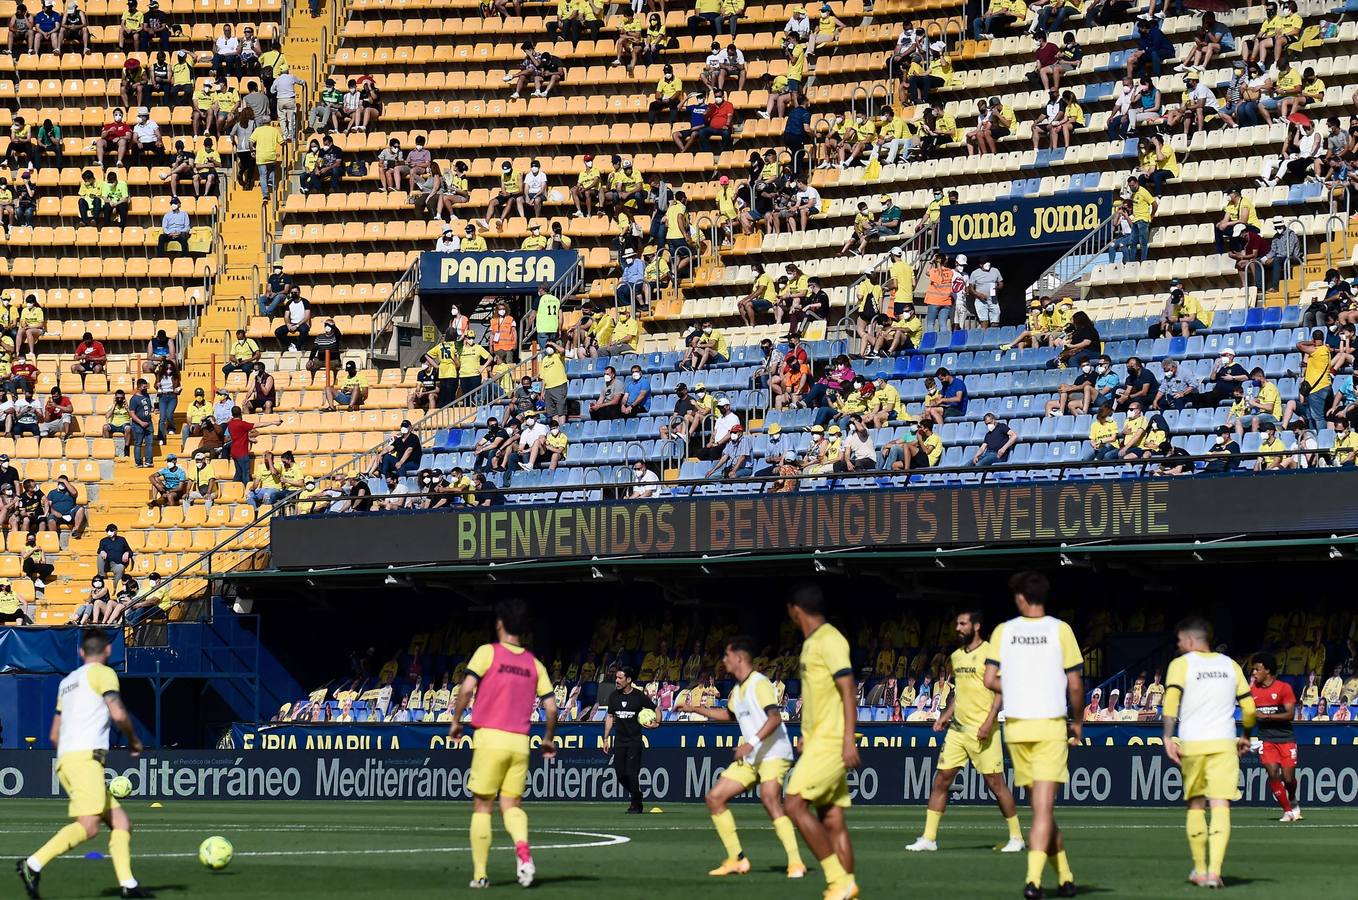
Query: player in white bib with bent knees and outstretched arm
{"points": [[763, 758]]}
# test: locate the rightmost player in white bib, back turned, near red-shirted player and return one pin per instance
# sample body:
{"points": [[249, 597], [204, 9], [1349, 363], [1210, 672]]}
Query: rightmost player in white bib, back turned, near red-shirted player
{"points": [[1203, 690]]}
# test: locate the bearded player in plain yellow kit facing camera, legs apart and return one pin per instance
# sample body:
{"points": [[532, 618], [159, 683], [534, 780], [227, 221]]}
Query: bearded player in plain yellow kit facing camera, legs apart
{"points": [[970, 720]]}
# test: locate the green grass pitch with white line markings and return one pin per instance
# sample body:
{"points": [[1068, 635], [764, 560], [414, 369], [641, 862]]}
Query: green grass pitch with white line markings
{"points": [[415, 850]]}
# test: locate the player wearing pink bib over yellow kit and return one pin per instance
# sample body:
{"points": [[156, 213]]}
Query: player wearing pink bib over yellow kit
{"points": [[507, 682]]}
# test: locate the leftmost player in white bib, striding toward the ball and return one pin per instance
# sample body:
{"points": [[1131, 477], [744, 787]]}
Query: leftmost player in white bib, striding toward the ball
{"points": [[88, 704]]}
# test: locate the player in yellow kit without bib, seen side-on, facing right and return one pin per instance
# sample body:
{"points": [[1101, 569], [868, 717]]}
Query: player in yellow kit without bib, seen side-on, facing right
{"points": [[818, 789]]}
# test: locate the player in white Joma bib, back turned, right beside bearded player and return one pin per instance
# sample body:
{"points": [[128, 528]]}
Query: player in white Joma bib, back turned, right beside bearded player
{"points": [[1038, 670]]}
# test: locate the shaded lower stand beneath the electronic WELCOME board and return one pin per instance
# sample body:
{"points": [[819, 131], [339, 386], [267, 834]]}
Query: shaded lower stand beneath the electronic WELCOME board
{"points": [[902, 667]]}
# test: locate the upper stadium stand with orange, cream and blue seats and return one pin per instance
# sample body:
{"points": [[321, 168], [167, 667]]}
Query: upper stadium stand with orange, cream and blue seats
{"points": [[439, 75]]}
